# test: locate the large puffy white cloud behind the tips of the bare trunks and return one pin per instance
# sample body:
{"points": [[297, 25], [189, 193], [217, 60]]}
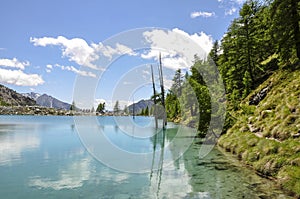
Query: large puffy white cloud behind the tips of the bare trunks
{"points": [[175, 42]]}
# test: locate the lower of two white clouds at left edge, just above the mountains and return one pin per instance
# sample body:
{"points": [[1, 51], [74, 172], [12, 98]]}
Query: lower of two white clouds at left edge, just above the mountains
{"points": [[19, 78]]}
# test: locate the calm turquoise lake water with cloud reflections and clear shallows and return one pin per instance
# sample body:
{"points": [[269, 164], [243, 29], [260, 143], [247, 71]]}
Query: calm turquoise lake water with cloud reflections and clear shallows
{"points": [[43, 157]]}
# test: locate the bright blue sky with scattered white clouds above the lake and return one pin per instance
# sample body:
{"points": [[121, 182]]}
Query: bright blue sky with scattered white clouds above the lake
{"points": [[46, 45]]}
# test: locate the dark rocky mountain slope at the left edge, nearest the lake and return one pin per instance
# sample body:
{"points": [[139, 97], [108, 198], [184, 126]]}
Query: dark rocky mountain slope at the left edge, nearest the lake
{"points": [[9, 97]]}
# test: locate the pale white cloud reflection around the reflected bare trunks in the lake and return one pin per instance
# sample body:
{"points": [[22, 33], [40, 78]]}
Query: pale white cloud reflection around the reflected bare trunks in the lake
{"points": [[165, 180]]}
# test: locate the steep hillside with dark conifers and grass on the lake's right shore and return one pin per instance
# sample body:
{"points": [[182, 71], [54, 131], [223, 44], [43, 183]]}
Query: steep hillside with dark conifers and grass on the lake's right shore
{"points": [[258, 60]]}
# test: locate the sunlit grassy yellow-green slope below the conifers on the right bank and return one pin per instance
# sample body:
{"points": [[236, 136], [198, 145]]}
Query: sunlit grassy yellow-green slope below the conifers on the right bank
{"points": [[266, 134]]}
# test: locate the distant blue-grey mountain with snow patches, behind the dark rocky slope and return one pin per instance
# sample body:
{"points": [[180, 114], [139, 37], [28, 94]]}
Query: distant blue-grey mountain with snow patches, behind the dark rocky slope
{"points": [[47, 101]]}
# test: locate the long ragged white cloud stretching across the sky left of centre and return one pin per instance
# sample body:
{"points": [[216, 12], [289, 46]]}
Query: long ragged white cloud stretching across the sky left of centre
{"points": [[80, 52]]}
